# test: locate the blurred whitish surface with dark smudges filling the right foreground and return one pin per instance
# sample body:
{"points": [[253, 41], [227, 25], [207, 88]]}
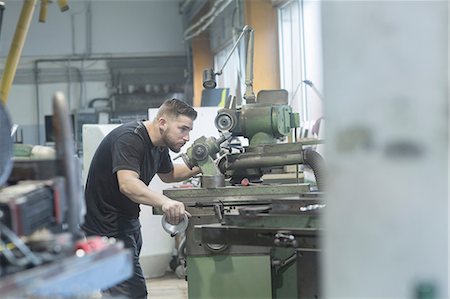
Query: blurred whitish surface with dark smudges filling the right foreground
{"points": [[386, 88]]}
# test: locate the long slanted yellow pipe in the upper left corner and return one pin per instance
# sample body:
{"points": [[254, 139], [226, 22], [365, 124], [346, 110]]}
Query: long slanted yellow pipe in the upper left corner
{"points": [[15, 51]]}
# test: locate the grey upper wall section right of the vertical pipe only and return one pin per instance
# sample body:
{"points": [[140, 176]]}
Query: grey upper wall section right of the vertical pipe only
{"points": [[137, 26]]}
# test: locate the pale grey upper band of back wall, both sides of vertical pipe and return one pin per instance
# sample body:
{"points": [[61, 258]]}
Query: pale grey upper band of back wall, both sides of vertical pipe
{"points": [[118, 27]]}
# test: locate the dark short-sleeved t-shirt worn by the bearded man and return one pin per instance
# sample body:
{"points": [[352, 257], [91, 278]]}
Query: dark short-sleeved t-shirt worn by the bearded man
{"points": [[127, 147]]}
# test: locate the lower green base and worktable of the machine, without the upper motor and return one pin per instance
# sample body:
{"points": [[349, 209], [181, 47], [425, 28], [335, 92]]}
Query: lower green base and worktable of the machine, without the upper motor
{"points": [[252, 242]]}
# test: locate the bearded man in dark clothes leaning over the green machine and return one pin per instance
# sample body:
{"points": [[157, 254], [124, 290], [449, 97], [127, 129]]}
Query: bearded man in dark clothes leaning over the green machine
{"points": [[121, 169]]}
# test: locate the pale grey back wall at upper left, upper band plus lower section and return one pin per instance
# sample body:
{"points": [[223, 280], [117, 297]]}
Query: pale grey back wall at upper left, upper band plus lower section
{"points": [[90, 29]]}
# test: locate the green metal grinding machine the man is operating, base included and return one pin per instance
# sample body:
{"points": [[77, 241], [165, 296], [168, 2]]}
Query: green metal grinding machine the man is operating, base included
{"points": [[247, 237]]}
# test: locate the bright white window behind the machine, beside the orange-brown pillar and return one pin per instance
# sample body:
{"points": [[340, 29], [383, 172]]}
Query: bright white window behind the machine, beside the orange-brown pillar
{"points": [[301, 57]]}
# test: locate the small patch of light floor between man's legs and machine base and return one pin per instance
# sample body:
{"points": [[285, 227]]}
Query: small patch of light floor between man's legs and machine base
{"points": [[167, 287]]}
